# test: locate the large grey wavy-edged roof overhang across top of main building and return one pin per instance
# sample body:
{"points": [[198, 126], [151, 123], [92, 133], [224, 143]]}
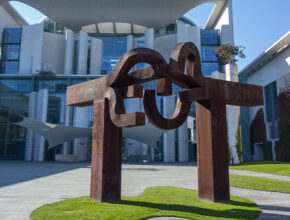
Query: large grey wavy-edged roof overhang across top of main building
{"points": [[75, 14]]}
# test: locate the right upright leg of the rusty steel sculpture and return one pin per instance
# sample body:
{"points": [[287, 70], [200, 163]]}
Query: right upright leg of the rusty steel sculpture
{"points": [[212, 151]]}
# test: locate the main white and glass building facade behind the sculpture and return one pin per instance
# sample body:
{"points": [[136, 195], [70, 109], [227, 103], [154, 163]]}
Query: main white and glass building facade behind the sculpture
{"points": [[83, 42]]}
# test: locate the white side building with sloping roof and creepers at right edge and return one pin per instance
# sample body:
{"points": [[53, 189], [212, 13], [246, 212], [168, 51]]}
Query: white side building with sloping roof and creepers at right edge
{"points": [[272, 71]]}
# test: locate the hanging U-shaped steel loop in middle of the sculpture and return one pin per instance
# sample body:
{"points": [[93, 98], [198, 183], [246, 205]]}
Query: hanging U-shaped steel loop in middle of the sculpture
{"points": [[180, 114]]}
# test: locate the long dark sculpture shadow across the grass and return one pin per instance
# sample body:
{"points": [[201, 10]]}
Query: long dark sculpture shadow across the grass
{"points": [[233, 213]]}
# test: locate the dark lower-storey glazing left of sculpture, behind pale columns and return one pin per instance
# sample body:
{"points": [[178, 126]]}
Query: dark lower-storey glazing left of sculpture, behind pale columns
{"points": [[14, 98]]}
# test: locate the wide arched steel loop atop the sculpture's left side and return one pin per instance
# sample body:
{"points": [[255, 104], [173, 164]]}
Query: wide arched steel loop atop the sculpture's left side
{"points": [[120, 73]]}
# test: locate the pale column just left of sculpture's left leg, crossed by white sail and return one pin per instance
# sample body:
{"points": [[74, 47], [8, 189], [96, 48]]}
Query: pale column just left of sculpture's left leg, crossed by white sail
{"points": [[81, 144]]}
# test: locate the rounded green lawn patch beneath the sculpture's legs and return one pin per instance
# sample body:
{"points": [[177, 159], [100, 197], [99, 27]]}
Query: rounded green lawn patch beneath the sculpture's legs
{"points": [[155, 201]]}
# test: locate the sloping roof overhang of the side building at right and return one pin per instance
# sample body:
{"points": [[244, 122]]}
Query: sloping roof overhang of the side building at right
{"points": [[273, 51]]}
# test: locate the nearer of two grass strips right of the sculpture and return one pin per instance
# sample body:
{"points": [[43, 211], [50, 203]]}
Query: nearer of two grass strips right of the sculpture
{"points": [[259, 183]]}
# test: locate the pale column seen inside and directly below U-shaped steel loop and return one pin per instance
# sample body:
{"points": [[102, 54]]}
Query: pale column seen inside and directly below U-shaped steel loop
{"points": [[169, 137]]}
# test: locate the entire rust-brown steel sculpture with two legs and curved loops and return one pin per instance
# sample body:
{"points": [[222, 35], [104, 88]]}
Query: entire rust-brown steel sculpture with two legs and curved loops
{"points": [[107, 94]]}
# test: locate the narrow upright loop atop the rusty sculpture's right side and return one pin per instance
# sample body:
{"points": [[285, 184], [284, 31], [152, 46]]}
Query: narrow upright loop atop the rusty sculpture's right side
{"points": [[186, 54]]}
